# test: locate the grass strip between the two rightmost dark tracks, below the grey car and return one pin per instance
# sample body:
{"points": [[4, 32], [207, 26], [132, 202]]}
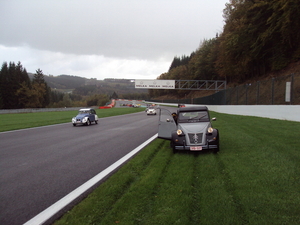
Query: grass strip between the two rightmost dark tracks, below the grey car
{"points": [[212, 200]]}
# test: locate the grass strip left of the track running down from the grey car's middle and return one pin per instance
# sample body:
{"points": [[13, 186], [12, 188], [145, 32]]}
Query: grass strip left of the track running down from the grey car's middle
{"points": [[173, 194]]}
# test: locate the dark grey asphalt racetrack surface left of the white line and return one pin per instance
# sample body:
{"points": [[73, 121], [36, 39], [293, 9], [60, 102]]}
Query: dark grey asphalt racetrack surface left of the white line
{"points": [[41, 165]]}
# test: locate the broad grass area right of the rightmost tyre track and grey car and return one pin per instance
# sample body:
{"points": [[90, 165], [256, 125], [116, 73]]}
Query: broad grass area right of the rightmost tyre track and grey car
{"points": [[260, 162]]}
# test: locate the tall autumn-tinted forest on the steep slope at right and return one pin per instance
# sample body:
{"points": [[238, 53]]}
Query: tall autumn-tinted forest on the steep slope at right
{"points": [[258, 37]]}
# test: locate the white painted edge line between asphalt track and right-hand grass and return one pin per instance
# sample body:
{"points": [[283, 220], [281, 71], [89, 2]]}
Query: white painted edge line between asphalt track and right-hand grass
{"points": [[45, 215]]}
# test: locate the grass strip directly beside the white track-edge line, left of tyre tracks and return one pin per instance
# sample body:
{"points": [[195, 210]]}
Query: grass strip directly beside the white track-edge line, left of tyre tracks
{"points": [[121, 185]]}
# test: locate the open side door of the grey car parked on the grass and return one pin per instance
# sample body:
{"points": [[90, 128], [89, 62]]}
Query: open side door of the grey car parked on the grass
{"points": [[166, 124]]}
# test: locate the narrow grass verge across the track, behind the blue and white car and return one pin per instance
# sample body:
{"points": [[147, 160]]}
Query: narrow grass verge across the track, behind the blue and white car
{"points": [[27, 120]]}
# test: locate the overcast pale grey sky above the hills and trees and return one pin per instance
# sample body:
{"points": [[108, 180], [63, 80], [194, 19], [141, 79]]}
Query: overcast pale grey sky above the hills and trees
{"points": [[133, 39]]}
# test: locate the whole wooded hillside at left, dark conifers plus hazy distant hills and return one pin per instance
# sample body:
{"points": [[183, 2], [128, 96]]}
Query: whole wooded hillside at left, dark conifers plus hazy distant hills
{"points": [[19, 89]]}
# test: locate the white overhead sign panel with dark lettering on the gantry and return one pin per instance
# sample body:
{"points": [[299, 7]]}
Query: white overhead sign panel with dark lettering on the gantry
{"points": [[155, 84]]}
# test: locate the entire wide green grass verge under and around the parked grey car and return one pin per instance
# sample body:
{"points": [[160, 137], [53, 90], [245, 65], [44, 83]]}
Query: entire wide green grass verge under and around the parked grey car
{"points": [[254, 179]]}
